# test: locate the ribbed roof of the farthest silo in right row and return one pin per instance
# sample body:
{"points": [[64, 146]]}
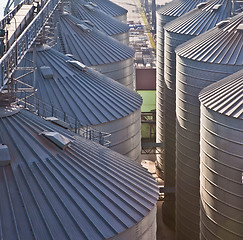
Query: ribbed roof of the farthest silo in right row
{"points": [[178, 7]]}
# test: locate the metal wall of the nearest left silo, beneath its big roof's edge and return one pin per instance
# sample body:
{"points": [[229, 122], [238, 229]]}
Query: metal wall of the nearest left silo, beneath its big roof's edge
{"points": [[144, 230]]}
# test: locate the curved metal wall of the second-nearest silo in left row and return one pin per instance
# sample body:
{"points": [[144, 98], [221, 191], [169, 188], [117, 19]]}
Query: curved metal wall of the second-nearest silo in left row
{"points": [[125, 135]]}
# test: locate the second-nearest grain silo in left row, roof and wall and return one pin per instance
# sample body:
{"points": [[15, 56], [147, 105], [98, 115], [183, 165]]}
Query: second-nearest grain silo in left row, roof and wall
{"points": [[86, 96]]}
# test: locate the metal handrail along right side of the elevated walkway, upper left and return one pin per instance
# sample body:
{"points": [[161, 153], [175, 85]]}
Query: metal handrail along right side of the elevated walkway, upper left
{"points": [[11, 59]]}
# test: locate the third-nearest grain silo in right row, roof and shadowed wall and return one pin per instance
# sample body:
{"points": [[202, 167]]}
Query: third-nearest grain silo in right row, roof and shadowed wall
{"points": [[176, 32]]}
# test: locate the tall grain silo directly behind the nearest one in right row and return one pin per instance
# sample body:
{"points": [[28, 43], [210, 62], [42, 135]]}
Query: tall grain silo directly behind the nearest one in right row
{"points": [[201, 61]]}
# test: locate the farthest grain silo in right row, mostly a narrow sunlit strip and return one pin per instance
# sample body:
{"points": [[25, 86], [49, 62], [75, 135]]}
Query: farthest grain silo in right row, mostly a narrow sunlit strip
{"points": [[164, 15]]}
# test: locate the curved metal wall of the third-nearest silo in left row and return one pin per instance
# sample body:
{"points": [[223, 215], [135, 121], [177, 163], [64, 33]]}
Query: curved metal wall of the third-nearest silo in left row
{"points": [[122, 71]]}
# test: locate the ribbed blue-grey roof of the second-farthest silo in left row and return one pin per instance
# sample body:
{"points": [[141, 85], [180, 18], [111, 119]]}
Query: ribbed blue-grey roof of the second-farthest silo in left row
{"points": [[101, 20]]}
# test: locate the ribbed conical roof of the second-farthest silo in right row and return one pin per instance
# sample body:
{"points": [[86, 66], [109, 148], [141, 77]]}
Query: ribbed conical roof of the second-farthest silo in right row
{"points": [[201, 19]]}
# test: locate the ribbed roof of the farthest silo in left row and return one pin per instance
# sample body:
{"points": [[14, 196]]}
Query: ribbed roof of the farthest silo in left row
{"points": [[109, 7]]}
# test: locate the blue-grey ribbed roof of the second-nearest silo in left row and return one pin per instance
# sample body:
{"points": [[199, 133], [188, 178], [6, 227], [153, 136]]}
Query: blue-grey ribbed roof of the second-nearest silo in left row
{"points": [[90, 97]]}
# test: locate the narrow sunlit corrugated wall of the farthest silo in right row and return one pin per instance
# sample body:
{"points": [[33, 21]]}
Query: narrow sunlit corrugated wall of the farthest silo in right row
{"points": [[161, 21]]}
